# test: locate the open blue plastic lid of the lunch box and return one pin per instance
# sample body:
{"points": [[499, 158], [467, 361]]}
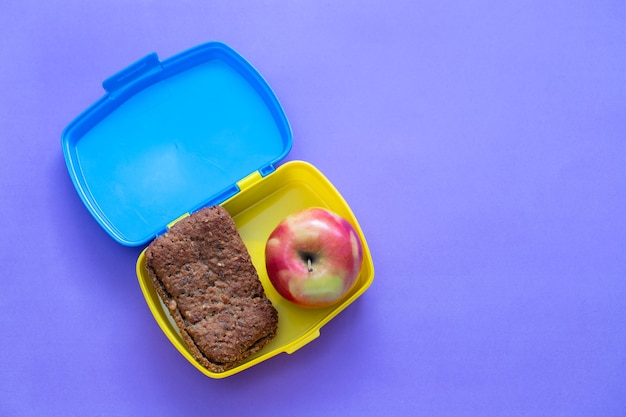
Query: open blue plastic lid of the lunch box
{"points": [[172, 136]]}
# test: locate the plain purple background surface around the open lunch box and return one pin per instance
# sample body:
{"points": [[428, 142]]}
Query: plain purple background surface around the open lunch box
{"points": [[482, 147]]}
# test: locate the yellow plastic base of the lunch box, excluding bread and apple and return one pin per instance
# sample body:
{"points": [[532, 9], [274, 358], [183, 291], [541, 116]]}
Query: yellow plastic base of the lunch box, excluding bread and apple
{"points": [[257, 209]]}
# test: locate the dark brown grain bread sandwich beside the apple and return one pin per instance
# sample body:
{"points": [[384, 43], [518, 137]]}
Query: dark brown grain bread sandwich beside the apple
{"points": [[203, 273]]}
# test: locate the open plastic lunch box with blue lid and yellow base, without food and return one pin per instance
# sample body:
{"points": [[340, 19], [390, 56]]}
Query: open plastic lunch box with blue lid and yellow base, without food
{"points": [[201, 128]]}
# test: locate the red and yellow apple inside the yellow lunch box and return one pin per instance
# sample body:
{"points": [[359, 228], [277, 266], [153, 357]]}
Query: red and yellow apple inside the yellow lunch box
{"points": [[313, 257]]}
